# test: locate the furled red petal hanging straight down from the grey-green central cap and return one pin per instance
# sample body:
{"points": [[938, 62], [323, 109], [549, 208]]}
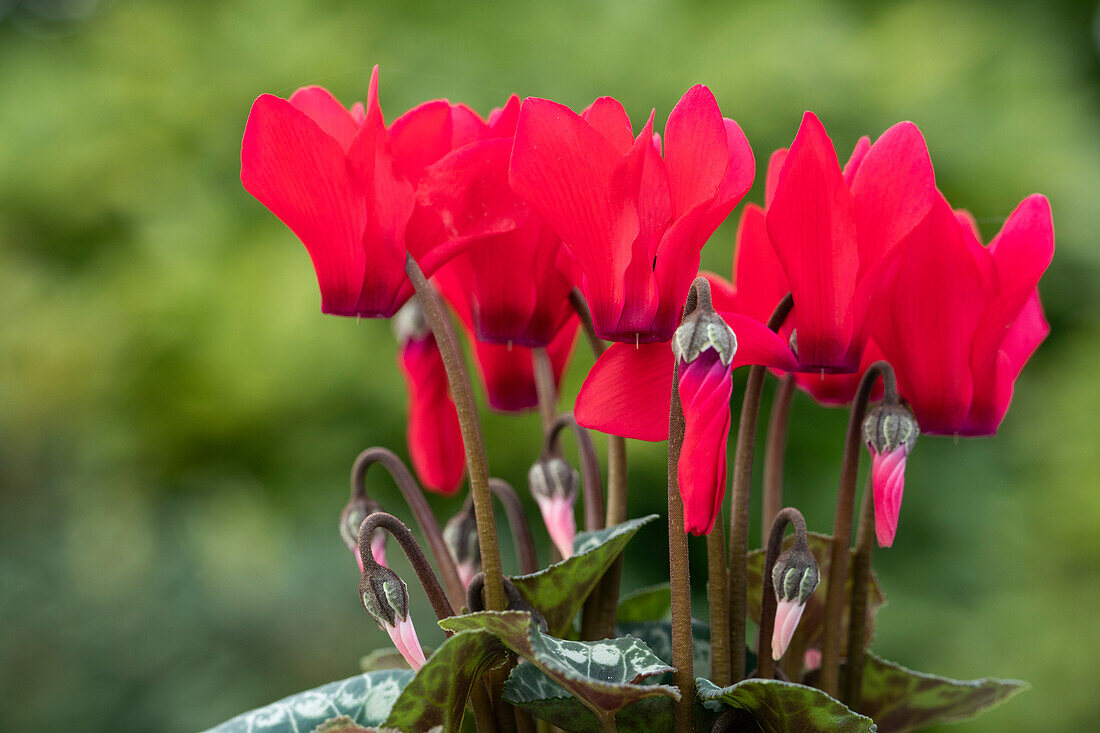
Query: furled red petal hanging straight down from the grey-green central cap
{"points": [[706, 388]]}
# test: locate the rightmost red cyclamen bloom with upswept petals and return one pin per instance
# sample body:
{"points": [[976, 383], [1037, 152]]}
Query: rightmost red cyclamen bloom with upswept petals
{"points": [[961, 321]]}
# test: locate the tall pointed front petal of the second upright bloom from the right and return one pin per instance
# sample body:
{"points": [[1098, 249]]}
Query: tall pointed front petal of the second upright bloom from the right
{"points": [[811, 224]]}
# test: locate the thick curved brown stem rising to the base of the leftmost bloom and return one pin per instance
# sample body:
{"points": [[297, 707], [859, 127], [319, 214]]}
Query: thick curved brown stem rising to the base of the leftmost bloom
{"points": [[472, 441]]}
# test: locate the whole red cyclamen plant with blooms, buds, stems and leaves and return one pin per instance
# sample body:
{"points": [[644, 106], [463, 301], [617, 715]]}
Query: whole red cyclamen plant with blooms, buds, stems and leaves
{"points": [[857, 285]]}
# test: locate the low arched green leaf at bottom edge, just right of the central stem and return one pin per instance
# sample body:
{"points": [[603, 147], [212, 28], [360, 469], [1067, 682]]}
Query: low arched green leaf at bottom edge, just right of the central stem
{"points": [[782, 707]]}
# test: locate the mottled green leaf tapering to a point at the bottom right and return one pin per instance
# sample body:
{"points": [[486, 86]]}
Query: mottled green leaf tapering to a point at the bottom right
{"points": [[903, 701]]}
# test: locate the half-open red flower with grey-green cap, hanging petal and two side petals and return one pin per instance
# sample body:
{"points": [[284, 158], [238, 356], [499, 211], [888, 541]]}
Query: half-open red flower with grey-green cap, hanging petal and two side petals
{"points": [[629, 392]]}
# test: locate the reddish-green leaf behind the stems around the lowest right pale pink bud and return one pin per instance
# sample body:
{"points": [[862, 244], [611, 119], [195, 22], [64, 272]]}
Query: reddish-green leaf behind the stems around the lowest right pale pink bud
{"points": [[809, 633]]}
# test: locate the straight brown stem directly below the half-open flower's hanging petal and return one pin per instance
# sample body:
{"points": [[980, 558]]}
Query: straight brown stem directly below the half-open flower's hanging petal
{"points": [[680, 575]]}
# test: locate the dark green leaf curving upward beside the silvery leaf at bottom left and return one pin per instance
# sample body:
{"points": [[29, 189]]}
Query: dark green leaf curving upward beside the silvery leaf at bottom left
{"points": [[437, 696]]}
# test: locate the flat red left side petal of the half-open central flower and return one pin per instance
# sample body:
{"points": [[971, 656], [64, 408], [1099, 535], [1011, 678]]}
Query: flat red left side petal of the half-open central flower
{"points": [[629, 392]]}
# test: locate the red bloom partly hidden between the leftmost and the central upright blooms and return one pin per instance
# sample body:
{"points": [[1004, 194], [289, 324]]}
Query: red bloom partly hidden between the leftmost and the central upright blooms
{"points": [[516, 277]]}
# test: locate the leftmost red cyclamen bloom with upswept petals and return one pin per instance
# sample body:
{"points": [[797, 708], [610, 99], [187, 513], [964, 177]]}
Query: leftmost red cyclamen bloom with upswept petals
{"points": [[345, 184]]}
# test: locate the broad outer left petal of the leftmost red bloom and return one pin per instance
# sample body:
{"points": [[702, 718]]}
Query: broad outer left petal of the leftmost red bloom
{"points": [[299, 172]]}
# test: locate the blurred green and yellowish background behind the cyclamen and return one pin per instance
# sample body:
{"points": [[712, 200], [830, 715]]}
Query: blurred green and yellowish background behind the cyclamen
{"points": [[178, 419]]}
